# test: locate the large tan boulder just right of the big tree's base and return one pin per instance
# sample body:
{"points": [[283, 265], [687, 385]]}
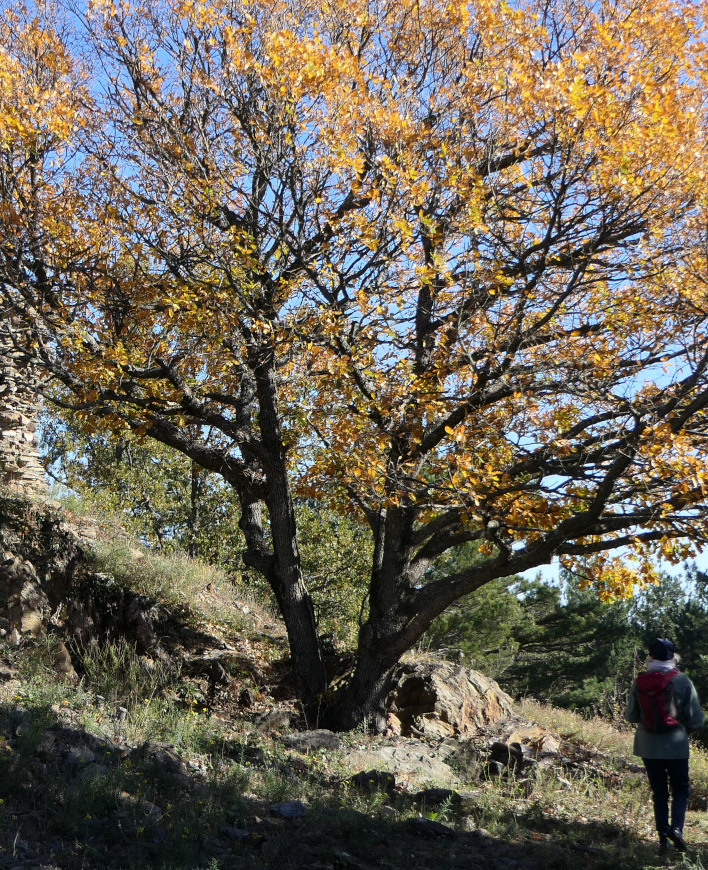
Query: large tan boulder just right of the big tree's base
{"points": [[437, 699]]}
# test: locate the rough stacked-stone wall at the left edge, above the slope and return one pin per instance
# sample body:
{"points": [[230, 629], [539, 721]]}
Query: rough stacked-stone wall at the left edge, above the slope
{"points": [[20, 466]]}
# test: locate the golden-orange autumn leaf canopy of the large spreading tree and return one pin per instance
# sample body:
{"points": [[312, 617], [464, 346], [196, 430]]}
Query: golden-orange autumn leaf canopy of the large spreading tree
{"points": [[419, 236]]}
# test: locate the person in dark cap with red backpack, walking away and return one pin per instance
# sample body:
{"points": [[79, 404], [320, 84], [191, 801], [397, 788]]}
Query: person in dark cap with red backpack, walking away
{"points": [[664, 705]]}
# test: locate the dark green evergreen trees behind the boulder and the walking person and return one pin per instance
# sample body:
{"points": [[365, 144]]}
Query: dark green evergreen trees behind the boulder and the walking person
{"points": [[563, 645]]}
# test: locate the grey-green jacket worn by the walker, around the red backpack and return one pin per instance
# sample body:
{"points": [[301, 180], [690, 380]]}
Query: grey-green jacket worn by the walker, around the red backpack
{"points": [[674, 743]]}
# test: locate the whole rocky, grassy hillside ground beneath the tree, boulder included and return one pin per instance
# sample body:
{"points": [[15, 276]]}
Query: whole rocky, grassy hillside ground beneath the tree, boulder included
{"points": [[182, 748]]}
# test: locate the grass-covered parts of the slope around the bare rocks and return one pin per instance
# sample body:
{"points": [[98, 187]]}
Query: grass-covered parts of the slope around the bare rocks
{"points": [[119, 807]]}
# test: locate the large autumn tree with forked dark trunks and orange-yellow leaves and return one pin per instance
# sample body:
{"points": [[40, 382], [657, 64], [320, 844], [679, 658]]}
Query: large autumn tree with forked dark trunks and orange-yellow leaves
{"points": [[440, 263]]}
